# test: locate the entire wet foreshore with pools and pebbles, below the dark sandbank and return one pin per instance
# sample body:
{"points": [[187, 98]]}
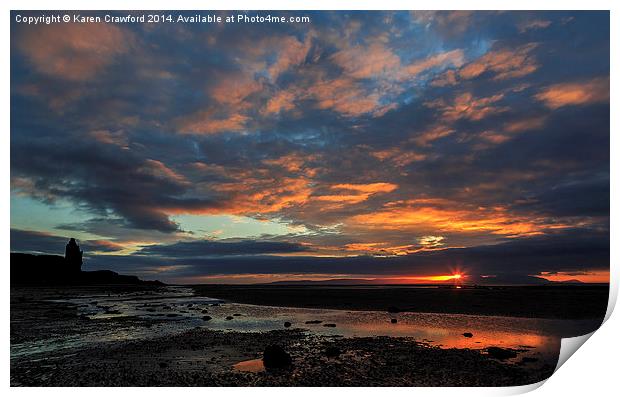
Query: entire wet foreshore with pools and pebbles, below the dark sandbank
{"points": [[129, 336]]}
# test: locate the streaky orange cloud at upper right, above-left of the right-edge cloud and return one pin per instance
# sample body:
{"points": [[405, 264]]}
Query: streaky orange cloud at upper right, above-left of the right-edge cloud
{"points": [[503, 63]]}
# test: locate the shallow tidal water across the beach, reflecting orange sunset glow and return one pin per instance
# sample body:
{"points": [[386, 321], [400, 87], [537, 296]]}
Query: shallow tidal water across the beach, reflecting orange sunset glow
{"points": [[177, 310]]}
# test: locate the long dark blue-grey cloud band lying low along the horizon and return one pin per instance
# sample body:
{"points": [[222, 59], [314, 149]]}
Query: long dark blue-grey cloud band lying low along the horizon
{"points": [[513, 260]]}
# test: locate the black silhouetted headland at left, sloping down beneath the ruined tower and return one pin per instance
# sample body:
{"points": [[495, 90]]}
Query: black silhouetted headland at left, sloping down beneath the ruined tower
{"points": [[28, 269]]}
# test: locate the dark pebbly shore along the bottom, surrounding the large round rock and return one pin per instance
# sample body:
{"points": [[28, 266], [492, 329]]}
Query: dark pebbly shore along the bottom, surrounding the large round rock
{"points": [[202, 357]]}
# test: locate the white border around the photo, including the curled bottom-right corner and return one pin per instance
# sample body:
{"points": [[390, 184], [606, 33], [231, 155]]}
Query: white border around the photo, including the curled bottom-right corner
{"points": [[594, 369]]}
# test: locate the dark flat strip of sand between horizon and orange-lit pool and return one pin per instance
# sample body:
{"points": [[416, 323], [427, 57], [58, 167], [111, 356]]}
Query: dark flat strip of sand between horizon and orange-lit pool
{"points": [[563, 301]]}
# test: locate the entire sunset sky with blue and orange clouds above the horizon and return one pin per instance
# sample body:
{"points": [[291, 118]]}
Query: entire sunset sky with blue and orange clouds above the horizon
{"points": [[376, 145]]}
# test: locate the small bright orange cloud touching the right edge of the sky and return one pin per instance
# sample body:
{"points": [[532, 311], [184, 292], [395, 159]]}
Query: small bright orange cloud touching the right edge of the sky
{"points": [[572, 94]]}
